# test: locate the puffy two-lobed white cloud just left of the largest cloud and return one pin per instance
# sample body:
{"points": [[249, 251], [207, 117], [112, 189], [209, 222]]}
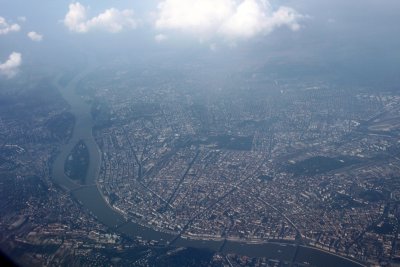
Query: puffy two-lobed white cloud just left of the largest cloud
{"points": [[111, 20]]}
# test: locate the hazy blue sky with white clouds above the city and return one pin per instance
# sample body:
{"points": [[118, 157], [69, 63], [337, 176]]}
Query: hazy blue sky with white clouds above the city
{"points": [[358, 37]]}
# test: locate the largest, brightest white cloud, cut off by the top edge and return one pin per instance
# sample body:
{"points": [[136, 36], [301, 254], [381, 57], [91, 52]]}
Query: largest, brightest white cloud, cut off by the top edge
{"points": [[228, 18]]}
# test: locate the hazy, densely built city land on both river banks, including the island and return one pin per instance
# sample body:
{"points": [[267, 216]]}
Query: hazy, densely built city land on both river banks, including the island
{"points": [[240, 156]]}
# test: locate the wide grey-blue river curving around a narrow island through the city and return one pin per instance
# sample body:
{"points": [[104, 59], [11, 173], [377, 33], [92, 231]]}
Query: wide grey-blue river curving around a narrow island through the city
{"points": [[90, 198]]}
